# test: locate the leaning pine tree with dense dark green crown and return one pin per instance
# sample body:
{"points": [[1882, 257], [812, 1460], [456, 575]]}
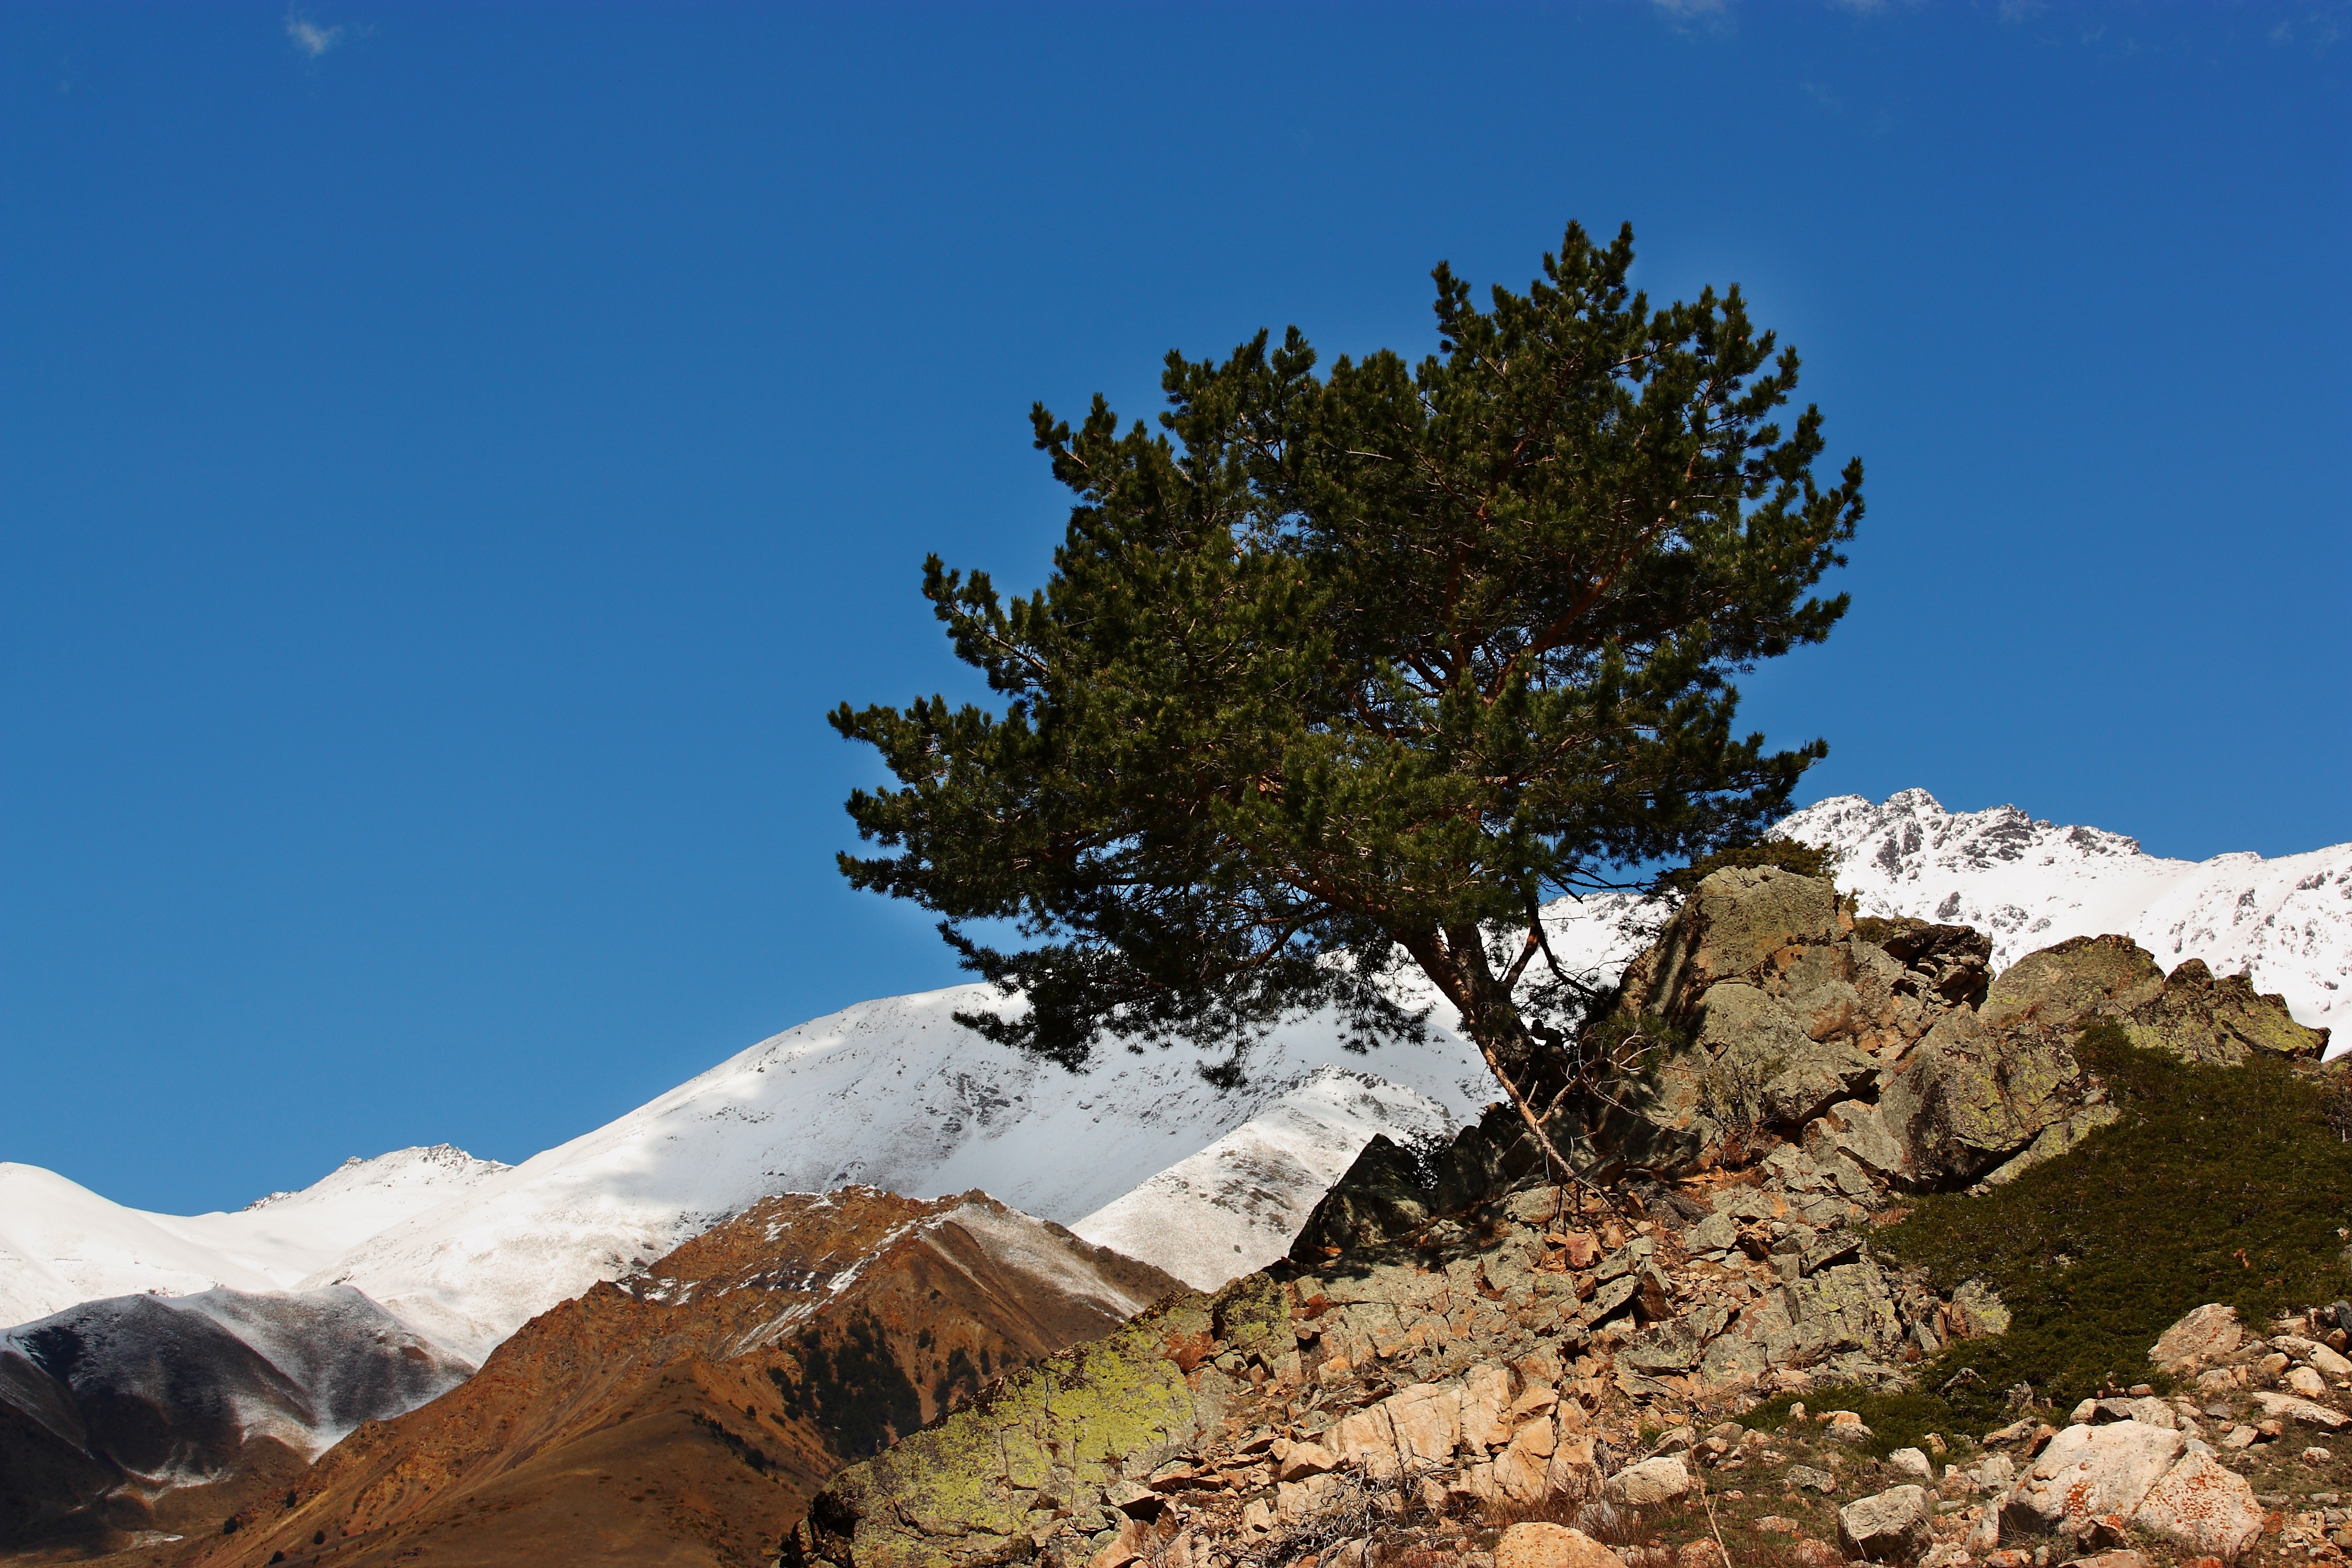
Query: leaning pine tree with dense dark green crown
{"points": [[1349, 674]]}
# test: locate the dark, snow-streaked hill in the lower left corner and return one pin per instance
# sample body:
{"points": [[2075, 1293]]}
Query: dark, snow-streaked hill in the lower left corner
{"points": [[145, 1414]]}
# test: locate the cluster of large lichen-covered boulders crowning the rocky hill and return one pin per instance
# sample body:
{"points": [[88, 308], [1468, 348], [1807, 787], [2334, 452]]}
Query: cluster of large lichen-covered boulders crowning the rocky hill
{"points": [[1763, 1014]]}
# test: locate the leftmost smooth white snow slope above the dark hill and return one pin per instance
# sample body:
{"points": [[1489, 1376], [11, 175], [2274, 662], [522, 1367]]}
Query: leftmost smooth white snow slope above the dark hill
{"points": [[65, 1245]]}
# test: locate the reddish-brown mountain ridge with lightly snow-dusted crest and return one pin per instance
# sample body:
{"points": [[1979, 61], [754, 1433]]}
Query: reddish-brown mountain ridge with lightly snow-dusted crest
{"points": [[690, 1414]]}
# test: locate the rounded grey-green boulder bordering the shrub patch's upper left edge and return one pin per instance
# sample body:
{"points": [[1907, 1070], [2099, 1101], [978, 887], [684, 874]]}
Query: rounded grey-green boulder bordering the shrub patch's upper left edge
{"points": [[1975, 1097]]}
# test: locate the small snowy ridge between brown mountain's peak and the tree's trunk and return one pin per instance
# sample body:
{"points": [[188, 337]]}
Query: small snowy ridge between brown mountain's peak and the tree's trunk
{"points": [[1236, 1205]]}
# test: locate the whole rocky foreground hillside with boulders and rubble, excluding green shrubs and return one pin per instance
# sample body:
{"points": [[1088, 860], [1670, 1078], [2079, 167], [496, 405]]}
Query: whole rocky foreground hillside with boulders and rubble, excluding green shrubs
{"points": [[1474, 1360]]}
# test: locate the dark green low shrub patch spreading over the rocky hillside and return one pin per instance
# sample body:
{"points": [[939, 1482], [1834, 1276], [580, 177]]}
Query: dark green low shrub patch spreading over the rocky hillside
{"points": [[2219, 1186]]}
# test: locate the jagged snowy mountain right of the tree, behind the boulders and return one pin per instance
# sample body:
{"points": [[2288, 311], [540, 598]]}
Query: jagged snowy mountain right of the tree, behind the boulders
{"points": [[2029, 885]]}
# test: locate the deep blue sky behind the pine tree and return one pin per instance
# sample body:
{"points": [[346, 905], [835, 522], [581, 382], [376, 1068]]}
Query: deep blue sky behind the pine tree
{"points": [[453, 457]]}
